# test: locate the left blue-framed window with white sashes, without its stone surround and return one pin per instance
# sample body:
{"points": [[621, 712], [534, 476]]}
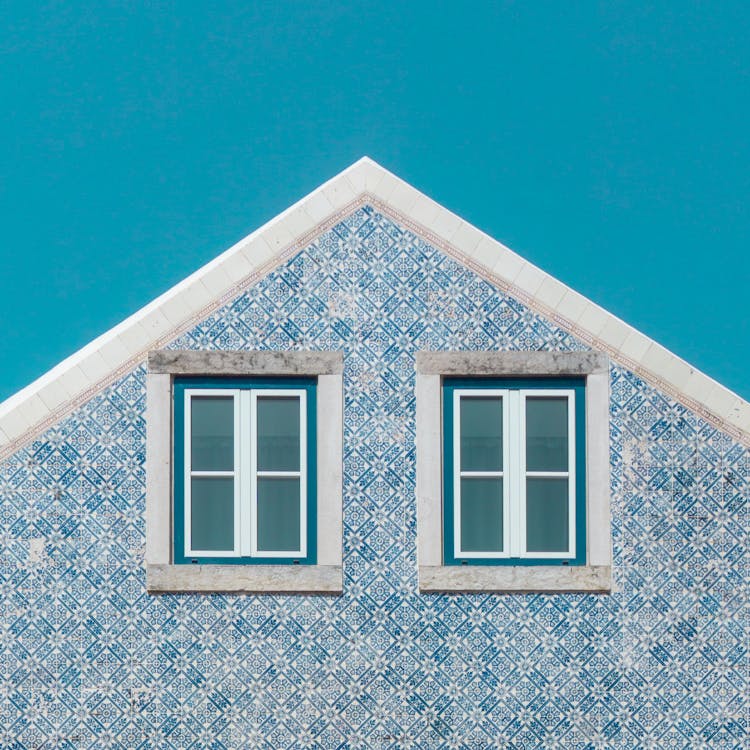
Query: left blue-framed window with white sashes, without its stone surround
{"points": [[245, 470]]}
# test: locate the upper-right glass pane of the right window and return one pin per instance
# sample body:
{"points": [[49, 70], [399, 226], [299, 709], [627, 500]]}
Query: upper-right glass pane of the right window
{"points": [[546, 434]]}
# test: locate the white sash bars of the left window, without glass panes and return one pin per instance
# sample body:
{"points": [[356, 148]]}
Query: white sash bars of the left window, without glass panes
{"points": [[245, 473]]}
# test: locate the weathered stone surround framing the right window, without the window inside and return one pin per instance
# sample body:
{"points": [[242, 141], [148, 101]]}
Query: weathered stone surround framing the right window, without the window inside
{"points": [[434, 577]]}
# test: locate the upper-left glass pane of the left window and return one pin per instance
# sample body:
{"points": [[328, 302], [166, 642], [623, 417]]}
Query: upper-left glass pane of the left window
{"points": [[212, 433]]}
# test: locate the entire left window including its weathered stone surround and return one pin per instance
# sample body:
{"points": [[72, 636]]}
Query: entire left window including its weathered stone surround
{"points": [[244, 471]]}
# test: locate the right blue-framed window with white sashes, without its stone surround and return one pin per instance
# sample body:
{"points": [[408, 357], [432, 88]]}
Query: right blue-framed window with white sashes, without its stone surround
{"points": [[514, 461]]}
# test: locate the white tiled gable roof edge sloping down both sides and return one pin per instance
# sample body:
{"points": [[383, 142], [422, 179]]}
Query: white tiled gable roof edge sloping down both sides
{"points": [[48, 399]]}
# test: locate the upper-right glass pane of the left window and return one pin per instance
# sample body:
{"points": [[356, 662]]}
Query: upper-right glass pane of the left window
{"points": [[278, 433]]}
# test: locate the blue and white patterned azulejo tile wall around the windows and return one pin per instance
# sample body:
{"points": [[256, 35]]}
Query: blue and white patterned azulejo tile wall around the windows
{"points": [[89, 660]]}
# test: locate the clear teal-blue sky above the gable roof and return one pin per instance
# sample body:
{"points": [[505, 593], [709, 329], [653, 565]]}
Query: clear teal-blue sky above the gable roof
{"points": [[607, 142]]}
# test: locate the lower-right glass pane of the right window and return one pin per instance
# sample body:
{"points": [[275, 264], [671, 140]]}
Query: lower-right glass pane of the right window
{"points": [[546, 515]]}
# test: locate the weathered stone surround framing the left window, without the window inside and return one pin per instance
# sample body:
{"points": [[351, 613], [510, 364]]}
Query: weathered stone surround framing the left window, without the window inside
{"points": [[162, 576]]}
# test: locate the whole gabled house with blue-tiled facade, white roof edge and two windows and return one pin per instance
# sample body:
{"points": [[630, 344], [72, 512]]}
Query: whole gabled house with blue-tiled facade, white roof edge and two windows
{"points": [[371, 480]]}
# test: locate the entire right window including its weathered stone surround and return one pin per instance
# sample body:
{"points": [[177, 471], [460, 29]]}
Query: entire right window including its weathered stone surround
{"points": [[513, 471]]}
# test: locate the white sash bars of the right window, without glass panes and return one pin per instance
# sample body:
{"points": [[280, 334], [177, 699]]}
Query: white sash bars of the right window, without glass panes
{"points": [[514, 473]]}
